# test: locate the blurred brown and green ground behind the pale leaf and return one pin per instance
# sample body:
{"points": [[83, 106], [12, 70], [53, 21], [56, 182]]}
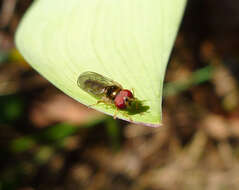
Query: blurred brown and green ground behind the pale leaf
{"points": [[49, 141]]}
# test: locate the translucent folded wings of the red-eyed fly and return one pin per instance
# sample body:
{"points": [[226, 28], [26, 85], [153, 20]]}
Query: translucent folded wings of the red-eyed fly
{"points": [[94, 83]]}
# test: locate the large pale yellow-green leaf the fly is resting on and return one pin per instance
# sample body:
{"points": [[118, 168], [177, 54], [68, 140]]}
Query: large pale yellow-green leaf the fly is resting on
{"points": [[128, 41]]}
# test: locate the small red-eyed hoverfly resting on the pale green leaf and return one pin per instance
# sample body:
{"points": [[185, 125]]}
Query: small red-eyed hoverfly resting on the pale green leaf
{"points": [[106, 90]]}
